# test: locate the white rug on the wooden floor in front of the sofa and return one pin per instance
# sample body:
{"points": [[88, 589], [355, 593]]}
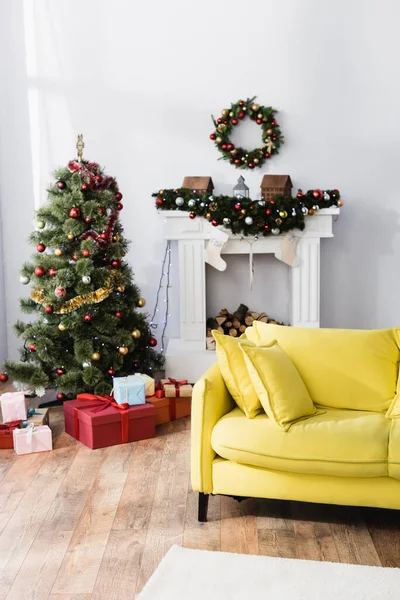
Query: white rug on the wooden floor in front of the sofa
{"points": [[199, 575]]}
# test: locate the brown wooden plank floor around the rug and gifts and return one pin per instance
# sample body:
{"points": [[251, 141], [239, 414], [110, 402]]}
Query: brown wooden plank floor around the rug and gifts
{"points": [[77, 524]]}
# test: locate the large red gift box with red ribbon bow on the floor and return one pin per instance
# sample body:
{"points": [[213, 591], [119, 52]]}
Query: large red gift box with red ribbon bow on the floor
{"points": [[98, 421]]}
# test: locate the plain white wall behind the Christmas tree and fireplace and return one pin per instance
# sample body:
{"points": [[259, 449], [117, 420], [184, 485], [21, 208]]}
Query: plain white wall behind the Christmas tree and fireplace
{"points": [[140, 80]]}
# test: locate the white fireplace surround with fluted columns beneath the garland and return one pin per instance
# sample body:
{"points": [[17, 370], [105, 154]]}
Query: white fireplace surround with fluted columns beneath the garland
{"points": [[187, 356]]}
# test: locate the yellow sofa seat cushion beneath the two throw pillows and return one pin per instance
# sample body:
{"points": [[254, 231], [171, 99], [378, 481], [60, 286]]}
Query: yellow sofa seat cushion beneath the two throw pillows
{"points": [[337, 442]]}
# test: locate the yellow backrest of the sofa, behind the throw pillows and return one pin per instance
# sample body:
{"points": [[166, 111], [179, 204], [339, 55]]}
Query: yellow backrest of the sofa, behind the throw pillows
{"points": [[342, 368]]}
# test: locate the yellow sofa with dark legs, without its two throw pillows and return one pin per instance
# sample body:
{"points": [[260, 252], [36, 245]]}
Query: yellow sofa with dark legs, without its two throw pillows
{"points": [[348, 453]]}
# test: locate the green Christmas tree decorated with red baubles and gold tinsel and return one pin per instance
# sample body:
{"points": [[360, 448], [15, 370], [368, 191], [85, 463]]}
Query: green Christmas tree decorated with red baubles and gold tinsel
{"points": [[89, 325]]}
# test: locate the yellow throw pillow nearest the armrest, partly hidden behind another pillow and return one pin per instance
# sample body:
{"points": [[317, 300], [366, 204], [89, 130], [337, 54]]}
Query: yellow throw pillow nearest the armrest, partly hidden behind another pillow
{"points": [[233, 368]]}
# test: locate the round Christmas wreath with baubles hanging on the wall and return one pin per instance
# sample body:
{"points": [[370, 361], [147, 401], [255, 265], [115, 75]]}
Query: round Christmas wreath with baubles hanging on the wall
{"points": [[231, 117]]}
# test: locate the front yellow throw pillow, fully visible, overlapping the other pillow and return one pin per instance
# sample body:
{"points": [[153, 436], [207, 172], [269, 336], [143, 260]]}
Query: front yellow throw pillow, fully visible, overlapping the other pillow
{"points": [[278, 384]]}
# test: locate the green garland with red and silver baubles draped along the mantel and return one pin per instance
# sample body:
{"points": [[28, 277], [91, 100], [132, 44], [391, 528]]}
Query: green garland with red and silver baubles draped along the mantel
{"points": [[249, 217]]}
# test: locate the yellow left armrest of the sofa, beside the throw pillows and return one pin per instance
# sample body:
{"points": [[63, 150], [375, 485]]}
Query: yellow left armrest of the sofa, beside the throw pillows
{"points": [[211, 401]]}
